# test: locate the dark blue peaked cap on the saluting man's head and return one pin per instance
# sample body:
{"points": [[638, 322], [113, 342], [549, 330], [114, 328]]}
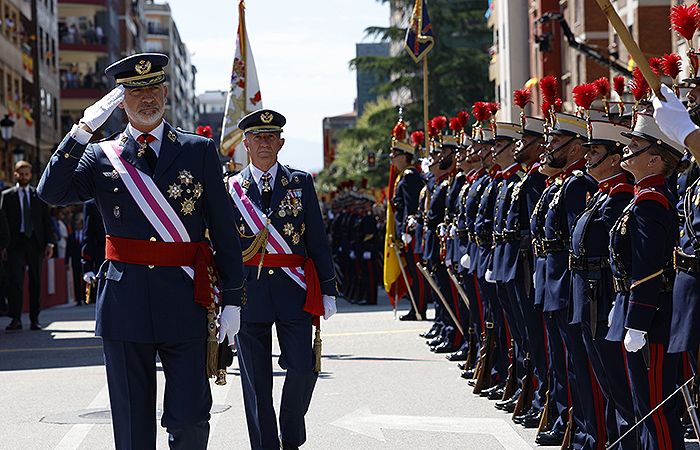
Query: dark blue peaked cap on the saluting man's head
{"points": [[139, 70]]}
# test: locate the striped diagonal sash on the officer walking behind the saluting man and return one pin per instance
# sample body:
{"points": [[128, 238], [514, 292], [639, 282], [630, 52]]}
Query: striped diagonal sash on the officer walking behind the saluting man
{"points": [[257, 221]]}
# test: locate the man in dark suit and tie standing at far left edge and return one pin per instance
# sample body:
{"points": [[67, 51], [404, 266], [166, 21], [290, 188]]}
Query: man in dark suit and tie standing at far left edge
{"points": [[31, 238]]}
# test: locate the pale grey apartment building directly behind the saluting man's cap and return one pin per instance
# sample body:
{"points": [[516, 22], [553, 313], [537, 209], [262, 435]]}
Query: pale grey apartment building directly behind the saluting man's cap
{"points": [[162, 36]]}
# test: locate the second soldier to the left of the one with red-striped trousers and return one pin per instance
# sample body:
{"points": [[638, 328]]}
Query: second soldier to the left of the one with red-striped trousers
{"points": [[565, 152]]}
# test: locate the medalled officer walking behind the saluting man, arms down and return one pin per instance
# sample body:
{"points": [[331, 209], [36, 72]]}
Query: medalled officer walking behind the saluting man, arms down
{"points": [[286, 200]]}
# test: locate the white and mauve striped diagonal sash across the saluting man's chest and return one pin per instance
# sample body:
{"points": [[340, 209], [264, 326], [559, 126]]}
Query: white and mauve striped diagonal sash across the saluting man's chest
{"points": [[149, 199]]}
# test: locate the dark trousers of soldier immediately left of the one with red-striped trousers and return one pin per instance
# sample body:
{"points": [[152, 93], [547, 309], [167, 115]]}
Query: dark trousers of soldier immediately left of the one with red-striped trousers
{"points": [[608, 362]]}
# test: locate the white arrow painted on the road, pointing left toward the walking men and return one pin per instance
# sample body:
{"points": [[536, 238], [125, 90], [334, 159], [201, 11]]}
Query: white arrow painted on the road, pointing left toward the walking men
{"points": [[364, 422]]}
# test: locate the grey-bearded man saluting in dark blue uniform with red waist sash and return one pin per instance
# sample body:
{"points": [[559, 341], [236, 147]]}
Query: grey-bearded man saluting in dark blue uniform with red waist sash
{"points": [[148, 308]]}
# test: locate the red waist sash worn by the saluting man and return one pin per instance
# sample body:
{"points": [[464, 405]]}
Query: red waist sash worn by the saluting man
{"points": [[170, 254]]}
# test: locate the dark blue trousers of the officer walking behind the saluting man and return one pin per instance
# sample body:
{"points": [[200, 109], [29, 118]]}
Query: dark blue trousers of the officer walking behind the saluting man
{"points": [[254, 342]]}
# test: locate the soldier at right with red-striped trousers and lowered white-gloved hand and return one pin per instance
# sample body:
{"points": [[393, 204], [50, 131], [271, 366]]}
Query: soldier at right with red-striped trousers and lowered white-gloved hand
{"points": [[641, 252]]}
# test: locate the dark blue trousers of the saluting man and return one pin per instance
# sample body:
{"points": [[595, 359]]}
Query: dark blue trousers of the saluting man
{"points": [[131, 377]]}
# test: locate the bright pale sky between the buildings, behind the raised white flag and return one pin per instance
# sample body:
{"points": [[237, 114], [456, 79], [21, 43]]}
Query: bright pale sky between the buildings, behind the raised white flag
{"points": [[301, 50]]}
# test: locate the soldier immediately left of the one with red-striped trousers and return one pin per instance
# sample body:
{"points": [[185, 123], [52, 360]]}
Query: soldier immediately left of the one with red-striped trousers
{"points": [[592, 290]]}
